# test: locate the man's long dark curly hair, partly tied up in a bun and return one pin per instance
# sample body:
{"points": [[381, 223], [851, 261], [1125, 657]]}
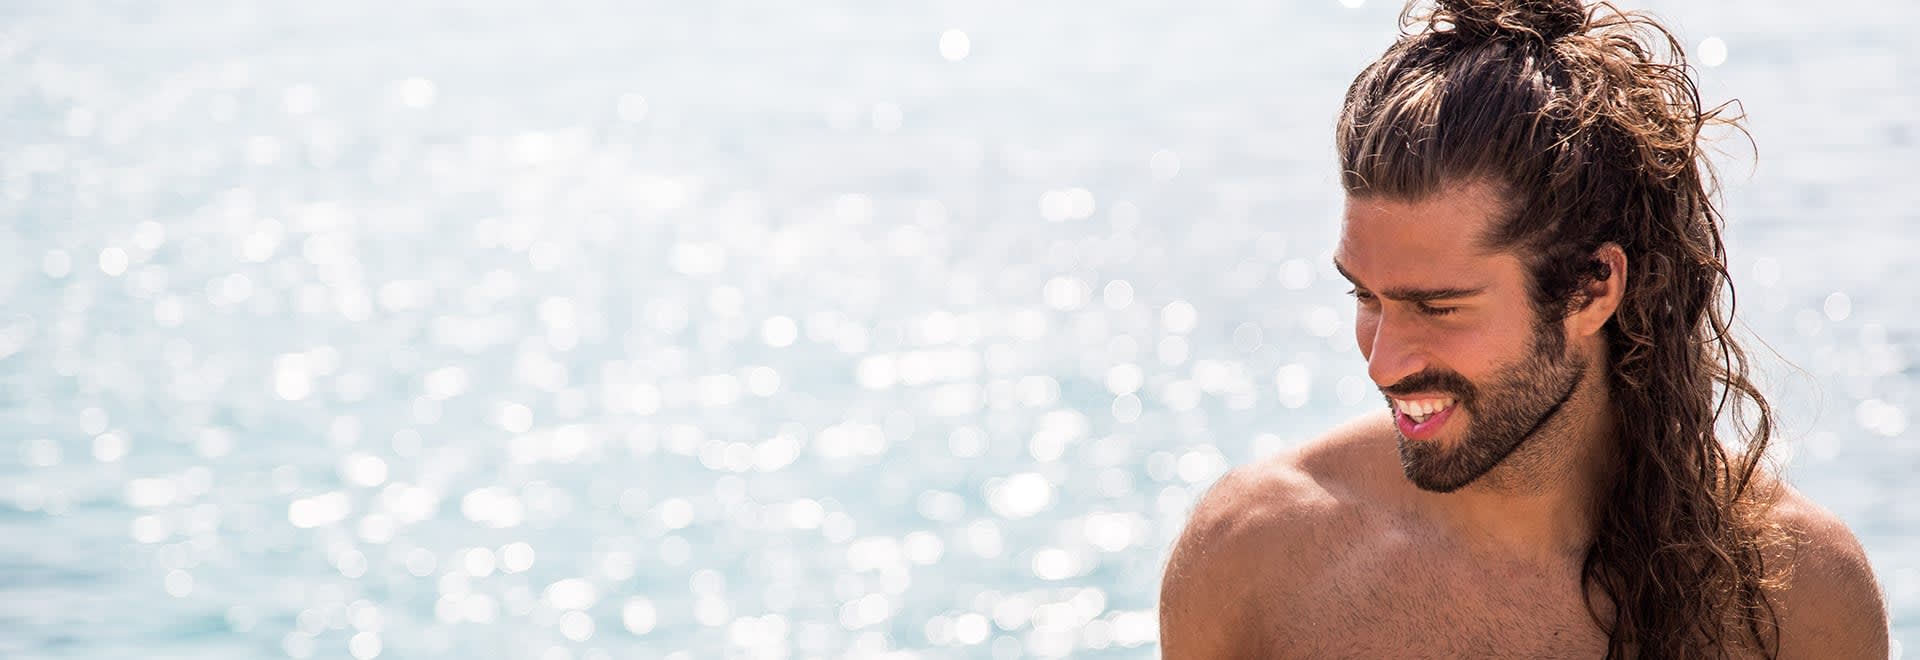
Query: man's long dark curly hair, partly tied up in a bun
{"points": [[1589, 120]]}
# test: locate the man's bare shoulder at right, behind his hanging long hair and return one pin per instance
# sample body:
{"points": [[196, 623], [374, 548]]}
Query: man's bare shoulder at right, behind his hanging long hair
{"points": [[1831, 605]]}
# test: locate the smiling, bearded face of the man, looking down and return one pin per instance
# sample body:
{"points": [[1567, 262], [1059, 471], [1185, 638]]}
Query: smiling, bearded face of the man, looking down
{"points": [[1451, 335]]}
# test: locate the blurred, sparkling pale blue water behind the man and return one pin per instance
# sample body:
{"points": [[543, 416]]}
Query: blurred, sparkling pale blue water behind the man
{"points": [[765, 331]]}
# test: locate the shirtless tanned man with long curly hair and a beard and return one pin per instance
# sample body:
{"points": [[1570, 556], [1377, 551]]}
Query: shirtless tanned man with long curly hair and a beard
{"points": [[1537, 271]]}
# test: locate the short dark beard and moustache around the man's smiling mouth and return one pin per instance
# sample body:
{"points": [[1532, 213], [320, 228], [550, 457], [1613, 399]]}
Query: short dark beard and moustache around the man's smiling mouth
{"points": [[1502, 415]]}
